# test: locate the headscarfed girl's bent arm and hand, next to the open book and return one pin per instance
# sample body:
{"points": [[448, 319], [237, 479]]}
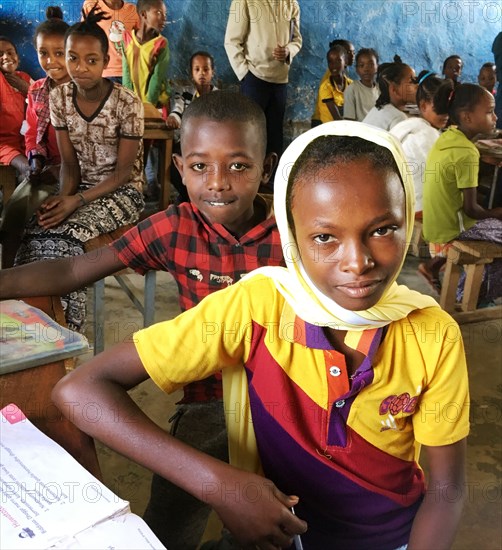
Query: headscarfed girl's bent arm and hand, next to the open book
{"points": [[104, 382]]}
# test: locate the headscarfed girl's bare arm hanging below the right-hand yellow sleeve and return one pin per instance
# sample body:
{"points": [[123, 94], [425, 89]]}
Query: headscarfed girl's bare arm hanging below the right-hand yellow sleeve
{"points": [[438, 517]]}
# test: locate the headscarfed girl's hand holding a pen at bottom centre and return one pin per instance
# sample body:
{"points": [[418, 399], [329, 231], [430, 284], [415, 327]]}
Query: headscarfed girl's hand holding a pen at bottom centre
{"points": [[254, 510]]}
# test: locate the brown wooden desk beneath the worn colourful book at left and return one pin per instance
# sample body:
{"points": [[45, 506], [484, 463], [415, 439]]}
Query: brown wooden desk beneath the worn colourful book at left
{"points": [[31, 389]]}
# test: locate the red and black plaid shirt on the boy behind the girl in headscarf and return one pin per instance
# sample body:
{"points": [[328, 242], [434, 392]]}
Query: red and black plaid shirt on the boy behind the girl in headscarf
{"points": [[202, 258]]}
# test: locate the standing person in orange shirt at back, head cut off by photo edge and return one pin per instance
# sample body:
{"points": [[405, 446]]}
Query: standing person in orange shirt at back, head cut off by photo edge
{"points": [[122, 16]]}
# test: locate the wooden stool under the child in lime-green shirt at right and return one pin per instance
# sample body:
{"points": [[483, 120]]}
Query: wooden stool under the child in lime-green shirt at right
{"points": [[473, 256]]}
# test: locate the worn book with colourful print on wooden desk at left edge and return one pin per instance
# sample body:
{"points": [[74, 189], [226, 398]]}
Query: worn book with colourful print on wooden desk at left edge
{"points": [[29, 337]]}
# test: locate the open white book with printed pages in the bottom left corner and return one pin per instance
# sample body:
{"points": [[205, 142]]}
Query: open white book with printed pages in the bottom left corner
{"points": [[48, 500]]}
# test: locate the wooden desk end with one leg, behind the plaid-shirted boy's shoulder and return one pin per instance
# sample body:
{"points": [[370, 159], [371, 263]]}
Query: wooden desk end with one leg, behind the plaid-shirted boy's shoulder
{"points": [[155, 128]]}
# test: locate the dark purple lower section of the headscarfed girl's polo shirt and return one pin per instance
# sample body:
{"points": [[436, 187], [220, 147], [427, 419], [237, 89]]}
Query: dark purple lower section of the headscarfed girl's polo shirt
{"points": [[338, 510]]}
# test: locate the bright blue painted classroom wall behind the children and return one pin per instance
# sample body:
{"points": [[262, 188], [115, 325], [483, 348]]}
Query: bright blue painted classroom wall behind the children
{"points": [[423, 33]]}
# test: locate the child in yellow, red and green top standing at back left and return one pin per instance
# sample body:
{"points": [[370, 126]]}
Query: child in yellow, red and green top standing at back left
{"points": [[144, 69]]}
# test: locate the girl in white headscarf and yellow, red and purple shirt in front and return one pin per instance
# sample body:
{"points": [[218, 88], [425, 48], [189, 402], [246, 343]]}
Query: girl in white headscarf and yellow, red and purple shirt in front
{"points": [[344, 373]]}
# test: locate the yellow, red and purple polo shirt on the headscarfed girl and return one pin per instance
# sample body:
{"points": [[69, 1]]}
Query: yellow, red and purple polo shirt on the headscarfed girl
{"points": [[347, 446]]}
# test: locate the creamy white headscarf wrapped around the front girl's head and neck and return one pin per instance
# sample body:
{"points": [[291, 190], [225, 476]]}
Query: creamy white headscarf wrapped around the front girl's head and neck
{"points": [[308, 302]]}
